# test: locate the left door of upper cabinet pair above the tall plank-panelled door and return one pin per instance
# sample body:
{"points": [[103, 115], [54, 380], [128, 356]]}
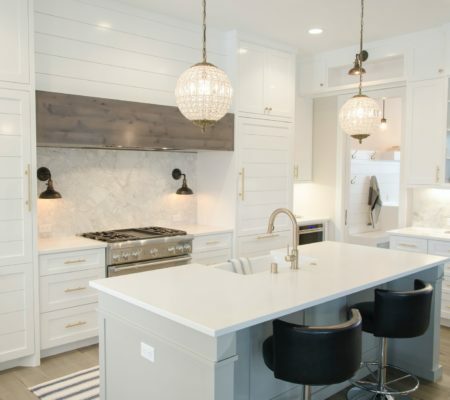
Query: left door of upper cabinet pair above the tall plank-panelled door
{"points": [[251, 78]]}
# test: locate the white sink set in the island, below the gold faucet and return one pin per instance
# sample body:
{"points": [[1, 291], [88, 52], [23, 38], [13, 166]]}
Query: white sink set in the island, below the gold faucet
{"points": [[262, 264]]}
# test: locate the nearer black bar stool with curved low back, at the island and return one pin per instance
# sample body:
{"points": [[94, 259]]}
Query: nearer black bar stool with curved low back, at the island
{"points": [[314, 355]]}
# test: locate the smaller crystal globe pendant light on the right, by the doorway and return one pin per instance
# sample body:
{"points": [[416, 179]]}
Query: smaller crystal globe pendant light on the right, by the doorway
{"points": [[360, 115]]}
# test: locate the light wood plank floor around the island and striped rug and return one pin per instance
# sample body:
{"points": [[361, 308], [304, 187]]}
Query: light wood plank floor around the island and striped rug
{"points": [[14, 382]]}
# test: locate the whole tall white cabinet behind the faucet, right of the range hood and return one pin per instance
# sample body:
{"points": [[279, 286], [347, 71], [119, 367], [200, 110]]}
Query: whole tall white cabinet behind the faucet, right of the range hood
{"points": [[264, 142]]}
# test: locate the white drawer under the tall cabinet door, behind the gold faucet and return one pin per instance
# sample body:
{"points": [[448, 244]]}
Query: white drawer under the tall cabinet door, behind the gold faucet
{"points": [[258, 245]]}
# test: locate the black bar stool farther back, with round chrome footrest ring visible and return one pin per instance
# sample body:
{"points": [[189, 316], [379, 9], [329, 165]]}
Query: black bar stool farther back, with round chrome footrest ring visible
{"points": [[392, 315]]}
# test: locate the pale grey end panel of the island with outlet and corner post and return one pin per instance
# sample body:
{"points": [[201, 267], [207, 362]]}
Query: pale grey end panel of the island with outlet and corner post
{"points": [[143, 356]]}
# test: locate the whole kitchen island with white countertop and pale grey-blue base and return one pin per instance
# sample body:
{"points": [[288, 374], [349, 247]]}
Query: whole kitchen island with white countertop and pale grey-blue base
{"points": [[195, 332]]}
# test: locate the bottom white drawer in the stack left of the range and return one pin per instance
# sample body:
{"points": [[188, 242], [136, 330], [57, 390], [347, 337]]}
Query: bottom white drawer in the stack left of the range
{"points": [[68, 326]]}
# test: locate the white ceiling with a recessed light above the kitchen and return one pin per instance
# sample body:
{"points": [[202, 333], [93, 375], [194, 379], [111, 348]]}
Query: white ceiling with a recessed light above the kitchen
{"points": [[289, 20]]}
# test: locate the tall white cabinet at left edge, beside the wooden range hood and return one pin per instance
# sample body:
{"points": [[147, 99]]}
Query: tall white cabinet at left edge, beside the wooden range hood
{"points": [[17, 185]]}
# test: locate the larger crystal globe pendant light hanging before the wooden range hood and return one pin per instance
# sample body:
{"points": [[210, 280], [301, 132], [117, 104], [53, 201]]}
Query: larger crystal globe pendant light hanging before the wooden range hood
{"points": [[203, 92]]}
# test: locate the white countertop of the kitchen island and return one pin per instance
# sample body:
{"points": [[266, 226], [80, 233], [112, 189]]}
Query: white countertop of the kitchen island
{"points": [[216, 302]]}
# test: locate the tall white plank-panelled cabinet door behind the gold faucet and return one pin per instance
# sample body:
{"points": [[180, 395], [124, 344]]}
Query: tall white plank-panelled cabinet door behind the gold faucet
{"points": [[265, 177]]}
